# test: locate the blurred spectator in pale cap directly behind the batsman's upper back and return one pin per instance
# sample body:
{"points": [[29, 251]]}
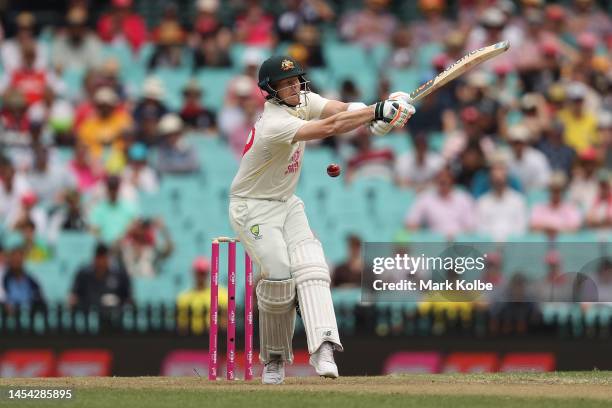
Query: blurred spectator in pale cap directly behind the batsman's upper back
{"points": [[236, 120]]}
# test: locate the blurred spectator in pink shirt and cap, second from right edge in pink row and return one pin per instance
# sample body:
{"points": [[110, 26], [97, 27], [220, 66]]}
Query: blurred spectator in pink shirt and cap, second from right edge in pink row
{"points": [[557, 215]]}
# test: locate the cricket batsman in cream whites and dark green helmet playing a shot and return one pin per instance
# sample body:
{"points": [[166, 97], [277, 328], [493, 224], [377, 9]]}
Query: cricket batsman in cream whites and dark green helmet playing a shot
{"points": [[270, 220]]}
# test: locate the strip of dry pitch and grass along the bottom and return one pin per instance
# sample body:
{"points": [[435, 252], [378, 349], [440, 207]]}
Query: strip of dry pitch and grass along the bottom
{"points": [[524, 390]]}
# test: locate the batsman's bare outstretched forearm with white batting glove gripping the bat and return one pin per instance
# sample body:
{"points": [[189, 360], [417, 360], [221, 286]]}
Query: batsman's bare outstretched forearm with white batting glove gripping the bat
{"points": [[395, 112]]}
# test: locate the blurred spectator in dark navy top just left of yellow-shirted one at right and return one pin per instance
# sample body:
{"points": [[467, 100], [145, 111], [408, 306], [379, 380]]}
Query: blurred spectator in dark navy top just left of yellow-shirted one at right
{"points": [[560, 156]]}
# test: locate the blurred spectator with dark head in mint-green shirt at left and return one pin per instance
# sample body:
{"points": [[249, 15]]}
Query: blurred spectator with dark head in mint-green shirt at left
{"points": [[110, 218]]}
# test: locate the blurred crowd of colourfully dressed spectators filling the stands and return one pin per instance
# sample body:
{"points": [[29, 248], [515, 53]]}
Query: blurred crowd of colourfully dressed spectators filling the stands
{"points": [[521, 145]]}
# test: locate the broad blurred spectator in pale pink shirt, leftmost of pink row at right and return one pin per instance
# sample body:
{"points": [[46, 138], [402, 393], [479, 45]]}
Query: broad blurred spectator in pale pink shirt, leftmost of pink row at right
{"points": [[445, 210]]}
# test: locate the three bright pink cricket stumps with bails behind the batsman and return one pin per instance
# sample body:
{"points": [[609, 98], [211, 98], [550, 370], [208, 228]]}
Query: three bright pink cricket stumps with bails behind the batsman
{"points": [[231, 311]]}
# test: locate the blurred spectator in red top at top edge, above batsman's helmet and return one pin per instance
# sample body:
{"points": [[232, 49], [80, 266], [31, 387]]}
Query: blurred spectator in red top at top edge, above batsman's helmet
{"points": [[255, 27]]}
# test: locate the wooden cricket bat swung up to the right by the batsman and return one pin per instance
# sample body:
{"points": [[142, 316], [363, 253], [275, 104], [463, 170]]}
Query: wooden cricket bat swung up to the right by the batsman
{"points": [[459, 67]]}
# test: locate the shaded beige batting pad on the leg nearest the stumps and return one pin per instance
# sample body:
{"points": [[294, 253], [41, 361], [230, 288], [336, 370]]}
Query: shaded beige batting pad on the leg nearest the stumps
{"points": [[276, 303]]}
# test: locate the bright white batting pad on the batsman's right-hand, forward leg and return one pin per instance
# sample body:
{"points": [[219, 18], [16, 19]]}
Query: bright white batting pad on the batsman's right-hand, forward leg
{"points": [[311, 275]]}
